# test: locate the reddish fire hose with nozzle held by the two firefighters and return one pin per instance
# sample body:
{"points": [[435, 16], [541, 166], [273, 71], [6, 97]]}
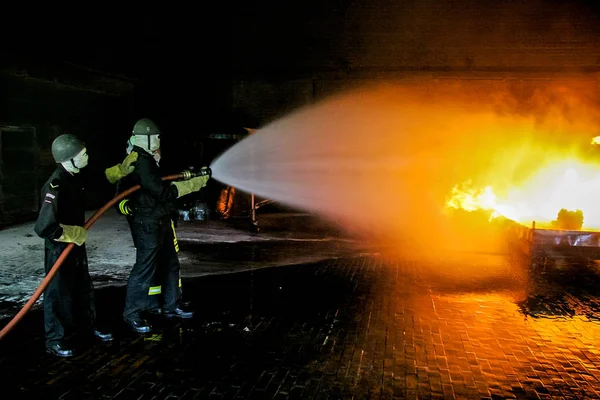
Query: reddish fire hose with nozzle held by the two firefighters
{"points": [[185, 175]]}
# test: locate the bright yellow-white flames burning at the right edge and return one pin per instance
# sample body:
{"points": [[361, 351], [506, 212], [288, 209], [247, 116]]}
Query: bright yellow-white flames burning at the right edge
{"points": [[571, 185]]}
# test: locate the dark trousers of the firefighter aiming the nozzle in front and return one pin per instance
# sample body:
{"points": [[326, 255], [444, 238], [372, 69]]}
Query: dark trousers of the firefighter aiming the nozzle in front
{"points": [[156, 264]]}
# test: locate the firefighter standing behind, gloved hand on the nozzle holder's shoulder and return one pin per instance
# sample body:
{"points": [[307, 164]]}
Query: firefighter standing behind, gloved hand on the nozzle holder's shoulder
{"points": [[69, 298]]}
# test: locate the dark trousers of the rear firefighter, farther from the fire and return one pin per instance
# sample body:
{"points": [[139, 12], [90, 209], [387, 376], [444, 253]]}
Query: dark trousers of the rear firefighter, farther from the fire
{"points": [[69, 303]]}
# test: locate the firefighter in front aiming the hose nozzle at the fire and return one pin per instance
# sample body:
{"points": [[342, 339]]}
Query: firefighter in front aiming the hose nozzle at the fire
{"points": [[152, 231]]}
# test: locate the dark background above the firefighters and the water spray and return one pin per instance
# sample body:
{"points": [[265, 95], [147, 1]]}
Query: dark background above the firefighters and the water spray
{"points": [[203, 72]]}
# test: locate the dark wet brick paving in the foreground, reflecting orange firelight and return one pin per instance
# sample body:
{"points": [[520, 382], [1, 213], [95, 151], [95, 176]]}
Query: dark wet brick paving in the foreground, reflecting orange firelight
{"points": [[358, 327]]}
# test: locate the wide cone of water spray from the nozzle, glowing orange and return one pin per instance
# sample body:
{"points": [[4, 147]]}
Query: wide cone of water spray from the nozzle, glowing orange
{"points": [[382, 160]]}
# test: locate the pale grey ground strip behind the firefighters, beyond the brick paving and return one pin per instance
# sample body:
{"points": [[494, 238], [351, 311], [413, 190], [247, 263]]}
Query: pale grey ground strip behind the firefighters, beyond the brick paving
{"points": [[285, 239]]}
